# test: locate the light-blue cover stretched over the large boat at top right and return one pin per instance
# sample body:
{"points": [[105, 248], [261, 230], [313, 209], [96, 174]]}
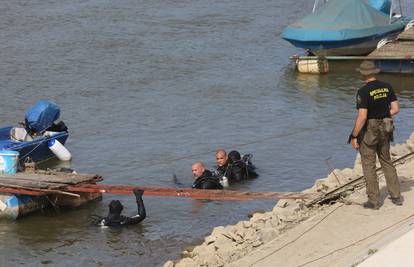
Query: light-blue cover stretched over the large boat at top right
{"points": [[341, 20]]}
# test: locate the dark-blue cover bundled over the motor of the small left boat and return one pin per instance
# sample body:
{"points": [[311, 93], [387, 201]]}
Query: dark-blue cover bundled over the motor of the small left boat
{"points": [[42, 115]]}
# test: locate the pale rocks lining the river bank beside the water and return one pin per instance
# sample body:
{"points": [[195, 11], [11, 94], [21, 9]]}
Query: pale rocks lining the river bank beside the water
{"points": [[228, 244]]}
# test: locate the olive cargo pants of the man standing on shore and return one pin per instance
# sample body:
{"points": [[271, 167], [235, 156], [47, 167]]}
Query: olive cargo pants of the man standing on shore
{"points": [[376, 141]]}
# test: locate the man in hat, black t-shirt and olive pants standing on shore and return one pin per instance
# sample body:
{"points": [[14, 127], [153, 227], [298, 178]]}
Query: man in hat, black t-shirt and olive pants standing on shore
{"points": [[372, 133]]}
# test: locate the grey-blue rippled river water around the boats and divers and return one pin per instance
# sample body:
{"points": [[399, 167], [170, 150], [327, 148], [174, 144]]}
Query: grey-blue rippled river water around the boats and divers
{"points": [[144, 84]]}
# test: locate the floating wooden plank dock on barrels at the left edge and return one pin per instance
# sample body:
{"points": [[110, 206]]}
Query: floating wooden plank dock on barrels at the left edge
{"points": [[27, 192]]}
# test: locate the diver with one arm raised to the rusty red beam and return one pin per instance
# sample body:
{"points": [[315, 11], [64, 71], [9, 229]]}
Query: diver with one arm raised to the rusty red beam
{"points": [[115, 218]]}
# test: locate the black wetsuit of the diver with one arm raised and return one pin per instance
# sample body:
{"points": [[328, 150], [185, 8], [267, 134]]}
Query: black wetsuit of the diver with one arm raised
{"points": [[116, 219]]}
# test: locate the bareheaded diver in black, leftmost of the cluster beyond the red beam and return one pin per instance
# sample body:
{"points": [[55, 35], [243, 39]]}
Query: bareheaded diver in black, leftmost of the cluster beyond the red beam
{"points": [[204, 179]]}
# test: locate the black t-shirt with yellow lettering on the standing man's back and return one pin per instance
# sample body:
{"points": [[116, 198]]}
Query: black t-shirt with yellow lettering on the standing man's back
{"points": [[376, 96]]}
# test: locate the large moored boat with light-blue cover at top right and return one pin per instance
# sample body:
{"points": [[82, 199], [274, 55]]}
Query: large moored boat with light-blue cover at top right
{"points": [[345, 27]]}
